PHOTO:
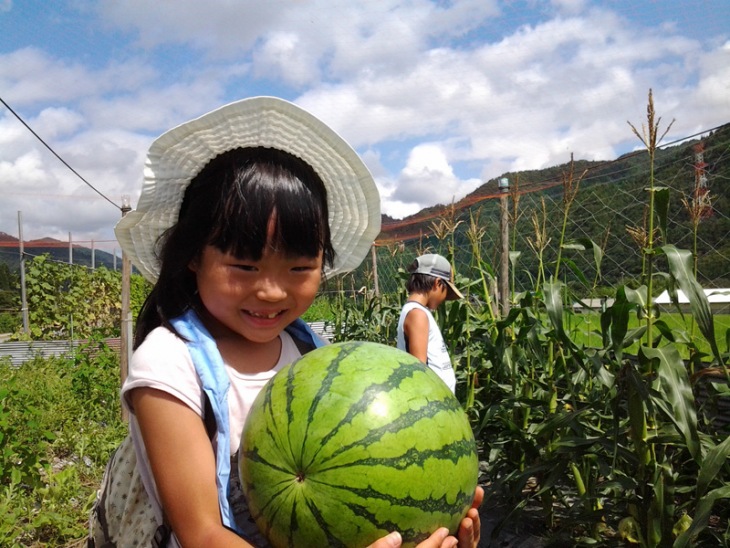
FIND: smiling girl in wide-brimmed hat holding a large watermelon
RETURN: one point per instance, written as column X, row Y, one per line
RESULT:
column 251, row 205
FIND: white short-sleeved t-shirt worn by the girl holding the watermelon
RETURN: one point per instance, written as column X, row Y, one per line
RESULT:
column 163, row 362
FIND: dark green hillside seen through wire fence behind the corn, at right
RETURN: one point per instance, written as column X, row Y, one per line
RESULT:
column 601, row 212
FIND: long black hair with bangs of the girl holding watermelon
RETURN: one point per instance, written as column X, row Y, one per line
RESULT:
column 228, row 205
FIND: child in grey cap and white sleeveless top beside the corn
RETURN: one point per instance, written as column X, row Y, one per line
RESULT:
column 429, row 285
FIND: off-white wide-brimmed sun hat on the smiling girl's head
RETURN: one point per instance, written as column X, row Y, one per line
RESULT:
column 177, row 156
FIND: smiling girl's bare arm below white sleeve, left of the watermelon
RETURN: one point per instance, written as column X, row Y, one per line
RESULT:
column 183, row 465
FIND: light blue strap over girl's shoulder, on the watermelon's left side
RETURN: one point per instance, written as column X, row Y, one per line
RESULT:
column 215, row 382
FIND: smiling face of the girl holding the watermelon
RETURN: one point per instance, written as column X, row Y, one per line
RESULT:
column 255, row 299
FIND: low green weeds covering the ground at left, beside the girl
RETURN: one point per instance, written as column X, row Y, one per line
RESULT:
column 59, row 421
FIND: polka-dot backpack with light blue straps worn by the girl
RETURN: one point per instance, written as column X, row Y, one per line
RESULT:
column 122, row 514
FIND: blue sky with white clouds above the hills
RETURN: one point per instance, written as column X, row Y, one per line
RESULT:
column 437, row 96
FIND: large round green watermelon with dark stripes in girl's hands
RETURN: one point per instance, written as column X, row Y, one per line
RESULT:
column 352, row 441
